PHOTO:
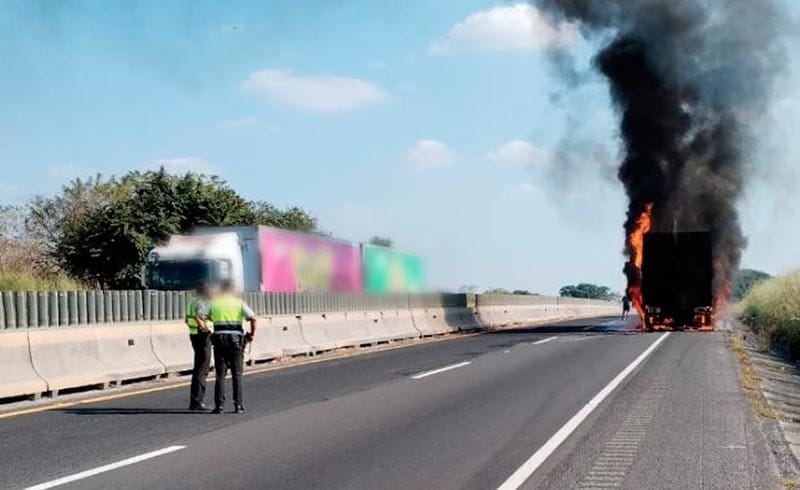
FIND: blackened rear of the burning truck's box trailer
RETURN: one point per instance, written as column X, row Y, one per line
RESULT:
column 677, row 280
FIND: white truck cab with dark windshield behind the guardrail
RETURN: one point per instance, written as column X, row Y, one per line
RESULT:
column 187, row 260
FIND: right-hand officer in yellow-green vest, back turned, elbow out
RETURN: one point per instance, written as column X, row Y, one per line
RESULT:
column 228, row 311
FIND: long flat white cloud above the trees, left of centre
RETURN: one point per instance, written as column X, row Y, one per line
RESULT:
column 314, row 93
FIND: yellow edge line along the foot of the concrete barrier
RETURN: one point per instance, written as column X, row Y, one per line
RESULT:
column 144, row 391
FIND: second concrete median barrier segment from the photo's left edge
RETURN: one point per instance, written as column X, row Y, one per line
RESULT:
column 68, row 358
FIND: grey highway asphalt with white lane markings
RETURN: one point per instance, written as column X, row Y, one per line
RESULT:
column 572, row 405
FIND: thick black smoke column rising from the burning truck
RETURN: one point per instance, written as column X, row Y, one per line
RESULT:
column 687, row 78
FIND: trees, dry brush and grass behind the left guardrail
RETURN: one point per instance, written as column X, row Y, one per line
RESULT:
column 97, row 232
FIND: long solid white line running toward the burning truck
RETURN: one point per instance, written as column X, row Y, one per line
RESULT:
column 540, row 456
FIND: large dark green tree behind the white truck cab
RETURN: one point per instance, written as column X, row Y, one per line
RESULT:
column 100, row 230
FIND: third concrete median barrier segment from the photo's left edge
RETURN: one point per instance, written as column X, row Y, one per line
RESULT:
column 127, row 353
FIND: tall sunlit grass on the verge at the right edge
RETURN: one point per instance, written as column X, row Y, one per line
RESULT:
column 772, row 310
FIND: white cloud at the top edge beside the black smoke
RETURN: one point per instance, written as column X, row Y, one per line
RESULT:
column 507, row 28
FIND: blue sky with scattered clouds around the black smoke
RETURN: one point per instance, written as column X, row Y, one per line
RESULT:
column 428, row 122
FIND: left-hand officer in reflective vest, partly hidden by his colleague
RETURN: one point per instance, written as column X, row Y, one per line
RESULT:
column 200, row 328
